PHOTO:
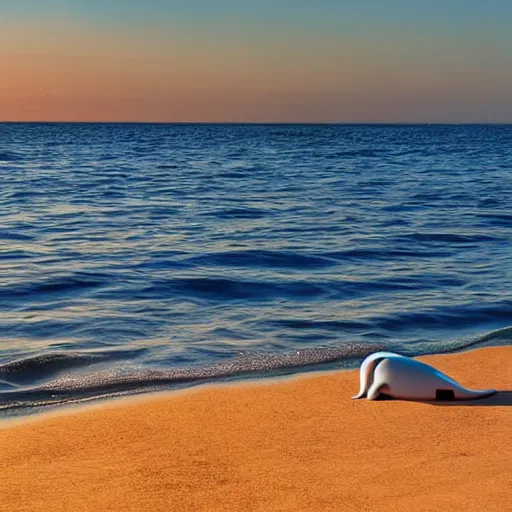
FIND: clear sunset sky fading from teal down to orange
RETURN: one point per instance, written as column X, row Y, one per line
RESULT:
column 356, row 61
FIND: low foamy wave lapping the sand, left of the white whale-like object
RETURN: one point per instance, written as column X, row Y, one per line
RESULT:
column 61, row 386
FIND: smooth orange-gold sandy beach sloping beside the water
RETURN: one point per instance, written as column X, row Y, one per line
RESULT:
column 298, row 443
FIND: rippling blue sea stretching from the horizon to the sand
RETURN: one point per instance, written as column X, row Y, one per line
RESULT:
column 137, row 257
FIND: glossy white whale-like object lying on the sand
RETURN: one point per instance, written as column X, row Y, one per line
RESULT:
column 389, row 375
